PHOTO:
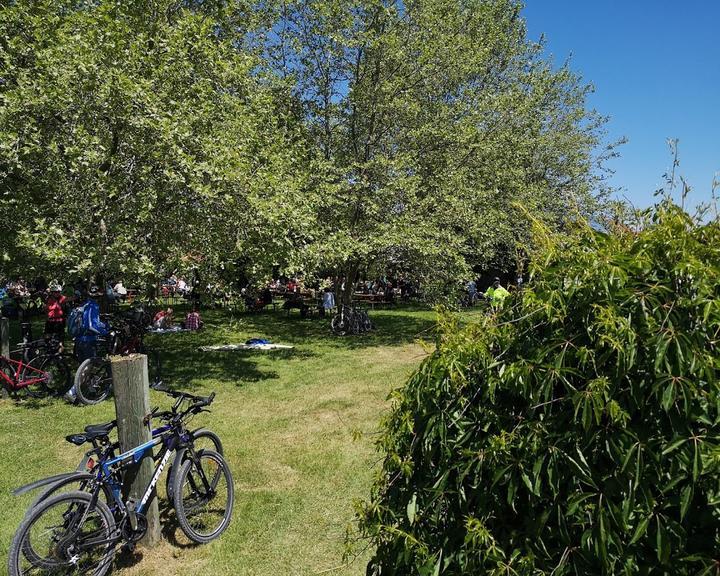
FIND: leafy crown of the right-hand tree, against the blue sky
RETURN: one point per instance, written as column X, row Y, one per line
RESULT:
column 433, row 118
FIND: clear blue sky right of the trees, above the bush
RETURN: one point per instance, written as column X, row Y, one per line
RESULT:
column 655, row 65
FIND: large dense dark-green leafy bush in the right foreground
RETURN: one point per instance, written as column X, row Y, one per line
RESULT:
column 577, row 432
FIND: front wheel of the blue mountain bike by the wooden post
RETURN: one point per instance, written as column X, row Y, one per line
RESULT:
column 204, row 496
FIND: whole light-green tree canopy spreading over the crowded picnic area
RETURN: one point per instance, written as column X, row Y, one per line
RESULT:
column 301, row 134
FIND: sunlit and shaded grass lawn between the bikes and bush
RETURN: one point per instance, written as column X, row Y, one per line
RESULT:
column 288, row 420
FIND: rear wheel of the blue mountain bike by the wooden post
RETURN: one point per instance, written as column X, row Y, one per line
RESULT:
column 67, row 535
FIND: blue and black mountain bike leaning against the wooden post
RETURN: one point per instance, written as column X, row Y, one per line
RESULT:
column 77, row 532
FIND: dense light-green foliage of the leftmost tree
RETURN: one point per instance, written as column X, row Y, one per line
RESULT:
column 135, row 137
